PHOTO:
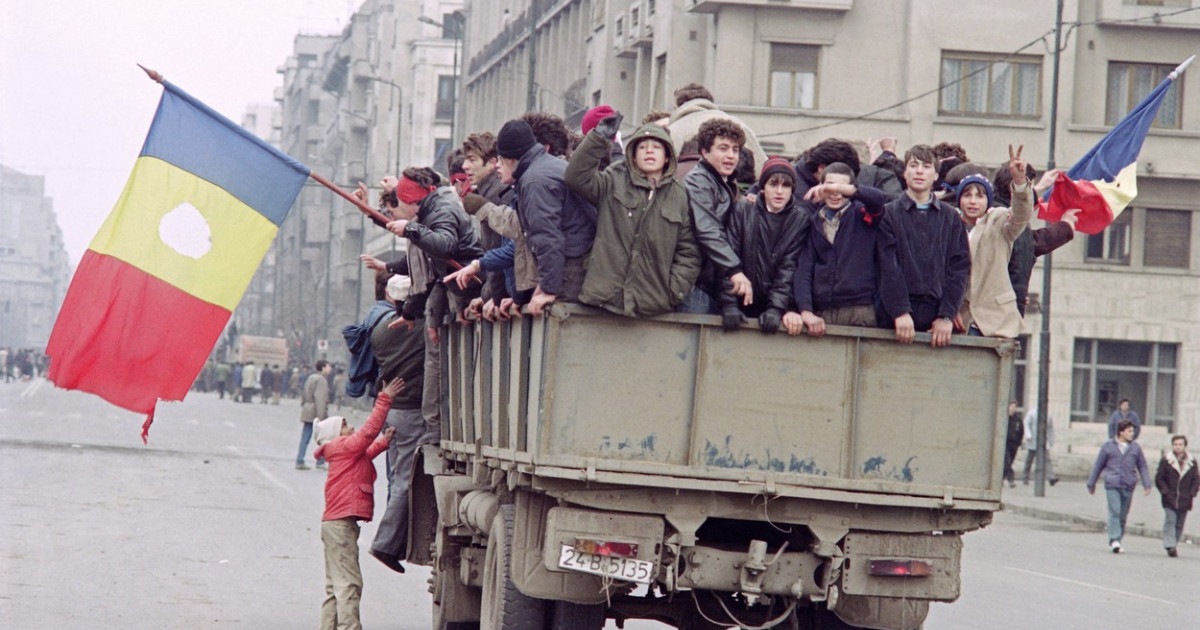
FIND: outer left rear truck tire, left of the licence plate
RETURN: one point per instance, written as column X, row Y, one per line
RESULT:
column 505, row 608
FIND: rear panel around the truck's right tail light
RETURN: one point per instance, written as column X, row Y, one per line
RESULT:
column 902, row 566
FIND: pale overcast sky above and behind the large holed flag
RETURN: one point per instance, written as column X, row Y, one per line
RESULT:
column 76, row 109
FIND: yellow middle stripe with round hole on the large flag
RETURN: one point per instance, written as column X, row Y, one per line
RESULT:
column 217, row 269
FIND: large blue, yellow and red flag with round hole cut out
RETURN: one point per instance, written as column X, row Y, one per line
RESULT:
column 158, row 285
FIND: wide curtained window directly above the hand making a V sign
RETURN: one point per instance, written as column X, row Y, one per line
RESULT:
column 991, row 86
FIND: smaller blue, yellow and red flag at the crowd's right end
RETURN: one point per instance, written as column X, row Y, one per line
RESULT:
column 1103, row 183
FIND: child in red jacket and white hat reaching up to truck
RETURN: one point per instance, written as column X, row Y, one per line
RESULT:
column 350, row 499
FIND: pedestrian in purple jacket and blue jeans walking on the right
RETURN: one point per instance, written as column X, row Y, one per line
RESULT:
column 1121, row 461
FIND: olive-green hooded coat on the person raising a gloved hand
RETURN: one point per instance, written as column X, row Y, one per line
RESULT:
column 645, row 260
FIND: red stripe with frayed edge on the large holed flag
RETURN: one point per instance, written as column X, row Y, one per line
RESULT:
column 130, row 338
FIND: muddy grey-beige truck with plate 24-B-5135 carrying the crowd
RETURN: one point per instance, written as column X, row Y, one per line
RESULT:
column 595, row 467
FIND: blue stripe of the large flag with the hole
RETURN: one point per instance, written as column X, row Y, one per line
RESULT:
column 199, row 140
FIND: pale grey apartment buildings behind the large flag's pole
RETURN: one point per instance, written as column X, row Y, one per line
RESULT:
column 355, row 106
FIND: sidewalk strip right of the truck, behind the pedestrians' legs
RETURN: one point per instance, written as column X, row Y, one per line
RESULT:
column 1070, row 502
